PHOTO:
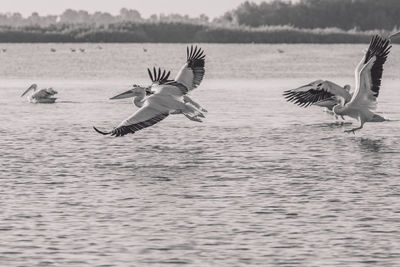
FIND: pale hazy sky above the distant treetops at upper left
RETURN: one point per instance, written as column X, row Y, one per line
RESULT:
column 211, row 8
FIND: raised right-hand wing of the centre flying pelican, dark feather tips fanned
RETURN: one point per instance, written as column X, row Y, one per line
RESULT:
column 192, row 72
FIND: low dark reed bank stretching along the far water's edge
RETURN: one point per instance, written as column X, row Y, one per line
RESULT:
column 179, row 33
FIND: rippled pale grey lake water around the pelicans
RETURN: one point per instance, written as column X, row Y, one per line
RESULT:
column 261, row 182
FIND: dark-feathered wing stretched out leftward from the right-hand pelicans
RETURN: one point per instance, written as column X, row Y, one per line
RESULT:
column 307, row 95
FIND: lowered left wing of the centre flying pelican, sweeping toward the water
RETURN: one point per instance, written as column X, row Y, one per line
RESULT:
column 143, row 118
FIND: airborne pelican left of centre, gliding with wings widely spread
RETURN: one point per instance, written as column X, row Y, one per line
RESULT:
column 166, row 96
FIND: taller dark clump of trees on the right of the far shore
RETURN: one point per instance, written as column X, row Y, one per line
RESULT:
column 344, row 14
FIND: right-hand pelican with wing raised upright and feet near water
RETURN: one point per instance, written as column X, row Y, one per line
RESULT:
column 361, row 103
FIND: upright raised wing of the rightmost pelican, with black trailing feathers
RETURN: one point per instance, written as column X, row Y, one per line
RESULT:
column 368, row 77
